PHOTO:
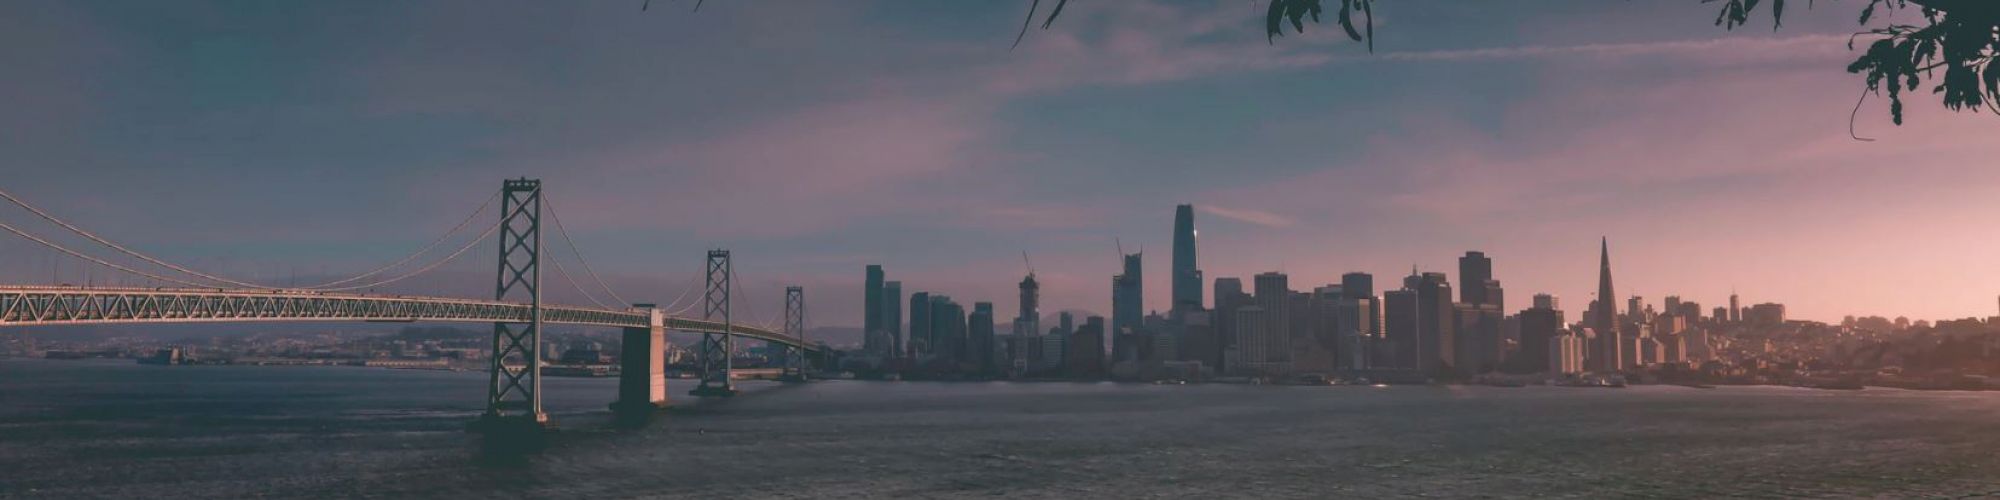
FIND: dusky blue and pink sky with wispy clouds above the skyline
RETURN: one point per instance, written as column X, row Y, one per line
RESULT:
column 323, row 139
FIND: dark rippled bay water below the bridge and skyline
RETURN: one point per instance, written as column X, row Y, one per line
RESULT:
column 119, row 429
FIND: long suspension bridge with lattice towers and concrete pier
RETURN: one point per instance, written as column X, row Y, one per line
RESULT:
column 517, row 309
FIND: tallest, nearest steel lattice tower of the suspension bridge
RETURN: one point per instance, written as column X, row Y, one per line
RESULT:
column 515, row 383
